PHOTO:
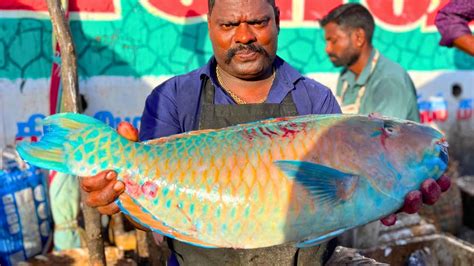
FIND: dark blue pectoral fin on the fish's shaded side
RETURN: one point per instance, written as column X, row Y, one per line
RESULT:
column 325, row 184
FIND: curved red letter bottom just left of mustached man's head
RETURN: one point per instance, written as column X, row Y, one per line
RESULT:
column 177, row 8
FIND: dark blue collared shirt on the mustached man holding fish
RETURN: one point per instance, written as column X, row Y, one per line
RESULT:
column 173, row 106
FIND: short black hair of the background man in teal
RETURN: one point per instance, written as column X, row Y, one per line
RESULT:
column 351, row 16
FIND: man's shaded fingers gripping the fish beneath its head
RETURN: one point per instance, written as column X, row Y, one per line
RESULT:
column 430, row 191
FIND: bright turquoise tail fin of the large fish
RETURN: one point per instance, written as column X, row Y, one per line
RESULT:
column 61, row 135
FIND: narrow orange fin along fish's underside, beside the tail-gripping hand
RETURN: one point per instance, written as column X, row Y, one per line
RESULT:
column 140, row 215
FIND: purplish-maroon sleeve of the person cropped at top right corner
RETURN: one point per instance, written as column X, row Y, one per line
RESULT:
column 453, row 20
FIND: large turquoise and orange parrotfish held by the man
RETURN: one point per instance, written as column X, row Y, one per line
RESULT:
column 299, row 180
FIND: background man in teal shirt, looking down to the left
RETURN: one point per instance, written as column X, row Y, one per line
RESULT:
column 369, row 81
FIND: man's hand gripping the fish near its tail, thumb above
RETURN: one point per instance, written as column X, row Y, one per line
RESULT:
column 103, row 189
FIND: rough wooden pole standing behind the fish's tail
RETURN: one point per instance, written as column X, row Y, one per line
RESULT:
column 70, row 85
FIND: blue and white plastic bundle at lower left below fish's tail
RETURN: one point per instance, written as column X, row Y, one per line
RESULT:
column 25, row 217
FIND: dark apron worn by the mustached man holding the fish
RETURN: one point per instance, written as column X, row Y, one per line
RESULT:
column 219, row 116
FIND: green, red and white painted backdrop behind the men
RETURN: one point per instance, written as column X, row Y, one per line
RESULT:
column 126, row 47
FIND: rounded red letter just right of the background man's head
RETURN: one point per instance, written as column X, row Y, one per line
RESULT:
column 388, row 12
